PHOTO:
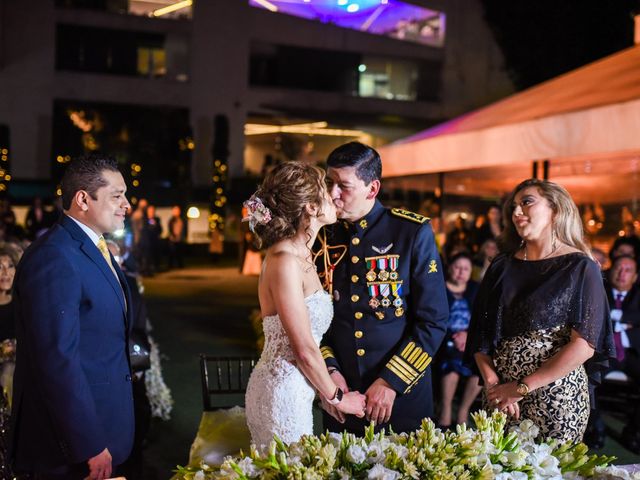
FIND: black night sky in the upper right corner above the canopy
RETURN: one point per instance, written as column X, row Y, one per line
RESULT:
column 541, row 39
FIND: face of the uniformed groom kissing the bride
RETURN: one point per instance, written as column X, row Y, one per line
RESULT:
column 352, row 198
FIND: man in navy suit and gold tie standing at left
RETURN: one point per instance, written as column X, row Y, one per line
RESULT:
column 72, row 404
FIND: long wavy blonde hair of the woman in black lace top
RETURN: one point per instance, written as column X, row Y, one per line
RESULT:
column 567, row 223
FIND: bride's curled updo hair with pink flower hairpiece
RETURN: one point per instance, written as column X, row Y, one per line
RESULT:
column 284, row 192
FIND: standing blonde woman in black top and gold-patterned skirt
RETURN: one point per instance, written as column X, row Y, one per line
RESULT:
column 541, row 313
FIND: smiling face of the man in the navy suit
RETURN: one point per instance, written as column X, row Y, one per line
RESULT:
column 106, row 213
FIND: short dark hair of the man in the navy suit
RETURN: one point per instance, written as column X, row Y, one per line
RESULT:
column 85, row 173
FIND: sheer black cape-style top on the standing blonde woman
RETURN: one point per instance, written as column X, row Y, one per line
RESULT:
column 518, row 296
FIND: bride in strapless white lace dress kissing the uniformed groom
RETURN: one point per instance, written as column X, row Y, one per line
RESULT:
column 286, row 212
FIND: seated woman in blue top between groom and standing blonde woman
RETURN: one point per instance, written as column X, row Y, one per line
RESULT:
column 461, row 292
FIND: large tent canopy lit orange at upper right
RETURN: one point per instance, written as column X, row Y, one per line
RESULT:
column 586, row 122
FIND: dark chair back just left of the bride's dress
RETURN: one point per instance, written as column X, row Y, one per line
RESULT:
column 224, row 380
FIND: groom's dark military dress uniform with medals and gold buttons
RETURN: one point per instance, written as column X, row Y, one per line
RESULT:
column 390, row 309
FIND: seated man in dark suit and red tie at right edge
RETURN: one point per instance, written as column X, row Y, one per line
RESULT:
column 624, row 300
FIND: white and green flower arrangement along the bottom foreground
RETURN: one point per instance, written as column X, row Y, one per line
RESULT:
column 484, row 453
